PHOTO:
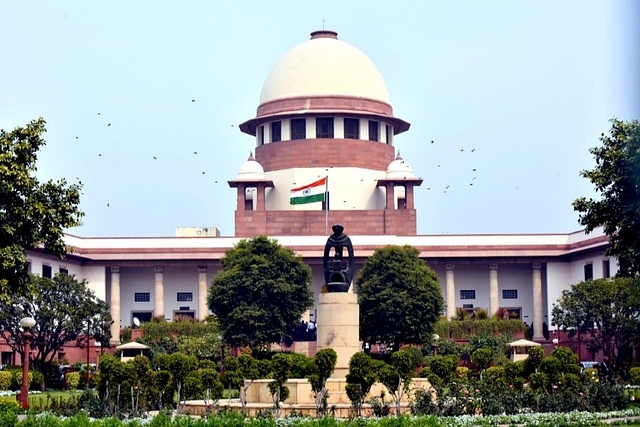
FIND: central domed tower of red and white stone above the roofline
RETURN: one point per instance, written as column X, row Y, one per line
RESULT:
column 325, row 112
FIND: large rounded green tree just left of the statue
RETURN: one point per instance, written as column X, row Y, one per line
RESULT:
column 261, row 291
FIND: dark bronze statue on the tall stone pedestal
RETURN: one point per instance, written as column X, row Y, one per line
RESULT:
column 338, row 271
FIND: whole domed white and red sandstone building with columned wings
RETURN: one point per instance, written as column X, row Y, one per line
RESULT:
column 324, row 112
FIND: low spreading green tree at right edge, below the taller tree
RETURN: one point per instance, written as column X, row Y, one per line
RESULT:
column 608, row 309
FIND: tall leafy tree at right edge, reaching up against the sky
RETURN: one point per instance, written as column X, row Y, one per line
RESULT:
column 616, row 178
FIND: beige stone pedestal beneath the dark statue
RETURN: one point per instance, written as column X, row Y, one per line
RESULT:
column 338, row 327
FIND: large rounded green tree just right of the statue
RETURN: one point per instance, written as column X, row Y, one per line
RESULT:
column 399, row 295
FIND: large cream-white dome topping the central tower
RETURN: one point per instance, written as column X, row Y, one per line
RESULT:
column 324, row 66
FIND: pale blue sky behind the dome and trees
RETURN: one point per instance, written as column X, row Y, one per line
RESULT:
column 528, row 85
